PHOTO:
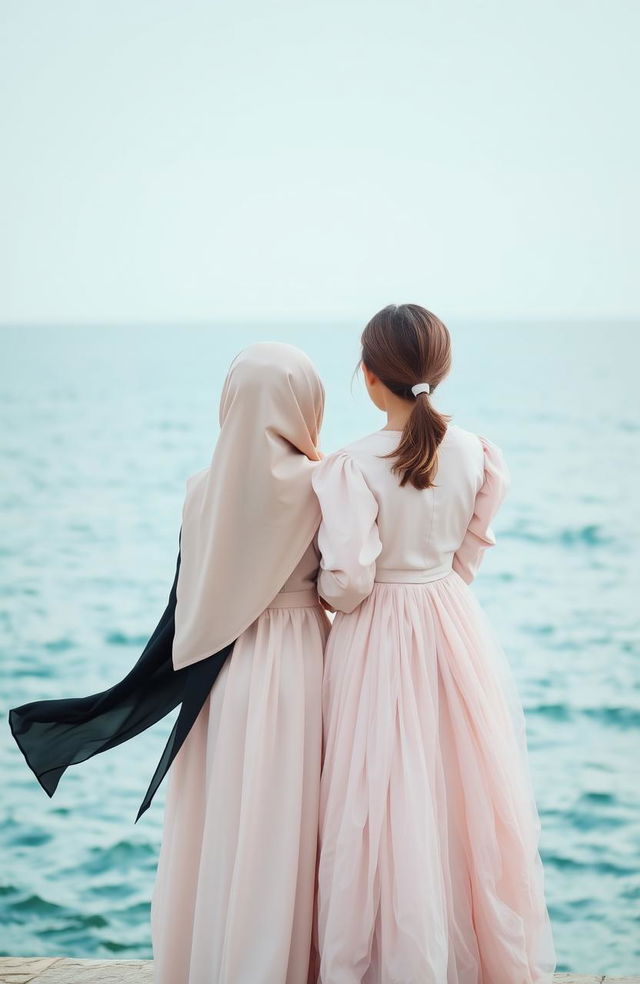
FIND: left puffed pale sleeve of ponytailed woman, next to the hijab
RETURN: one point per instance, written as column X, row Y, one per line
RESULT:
column 348, row 536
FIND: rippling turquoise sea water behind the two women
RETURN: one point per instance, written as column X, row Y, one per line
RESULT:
column 99, row 429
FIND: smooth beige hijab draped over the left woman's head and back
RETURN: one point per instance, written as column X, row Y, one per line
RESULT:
column 249, row 517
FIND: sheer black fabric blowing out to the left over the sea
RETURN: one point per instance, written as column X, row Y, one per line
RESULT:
column 54, row 734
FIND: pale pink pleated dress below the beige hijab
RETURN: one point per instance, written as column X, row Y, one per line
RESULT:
column 233, row 900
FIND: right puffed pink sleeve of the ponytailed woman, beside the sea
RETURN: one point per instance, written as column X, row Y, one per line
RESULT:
column 479, row 534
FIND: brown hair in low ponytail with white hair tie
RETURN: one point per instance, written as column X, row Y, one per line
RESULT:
column 403, row 345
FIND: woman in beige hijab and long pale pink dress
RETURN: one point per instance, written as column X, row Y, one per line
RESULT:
column 233, row 898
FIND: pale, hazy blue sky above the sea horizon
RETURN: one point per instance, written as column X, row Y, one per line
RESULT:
column 188, row 161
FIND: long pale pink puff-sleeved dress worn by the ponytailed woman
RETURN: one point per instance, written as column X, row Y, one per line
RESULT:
column 429, row 870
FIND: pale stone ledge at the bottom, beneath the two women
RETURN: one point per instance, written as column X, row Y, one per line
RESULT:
column 66, row 970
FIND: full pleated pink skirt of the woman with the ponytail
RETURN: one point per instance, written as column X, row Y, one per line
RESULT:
column 429, row 871
